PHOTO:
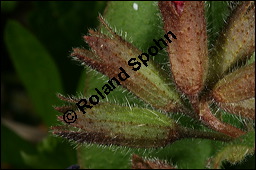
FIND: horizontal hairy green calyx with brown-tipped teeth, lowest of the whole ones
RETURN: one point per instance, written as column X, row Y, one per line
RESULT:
column 110, row 124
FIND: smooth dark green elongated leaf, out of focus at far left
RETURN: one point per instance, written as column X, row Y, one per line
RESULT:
column 35, row 68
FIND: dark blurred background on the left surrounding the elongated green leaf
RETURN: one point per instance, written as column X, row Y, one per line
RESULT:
column 58, row 26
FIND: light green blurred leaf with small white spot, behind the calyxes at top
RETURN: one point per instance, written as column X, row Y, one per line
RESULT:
column 140, row 20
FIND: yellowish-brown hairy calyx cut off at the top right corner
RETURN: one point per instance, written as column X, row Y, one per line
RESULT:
column 236, row 42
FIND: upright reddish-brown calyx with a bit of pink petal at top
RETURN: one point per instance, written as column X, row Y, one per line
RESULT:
column 188, row 54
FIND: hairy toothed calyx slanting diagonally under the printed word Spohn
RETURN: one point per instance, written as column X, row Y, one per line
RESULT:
column 142, row 77
